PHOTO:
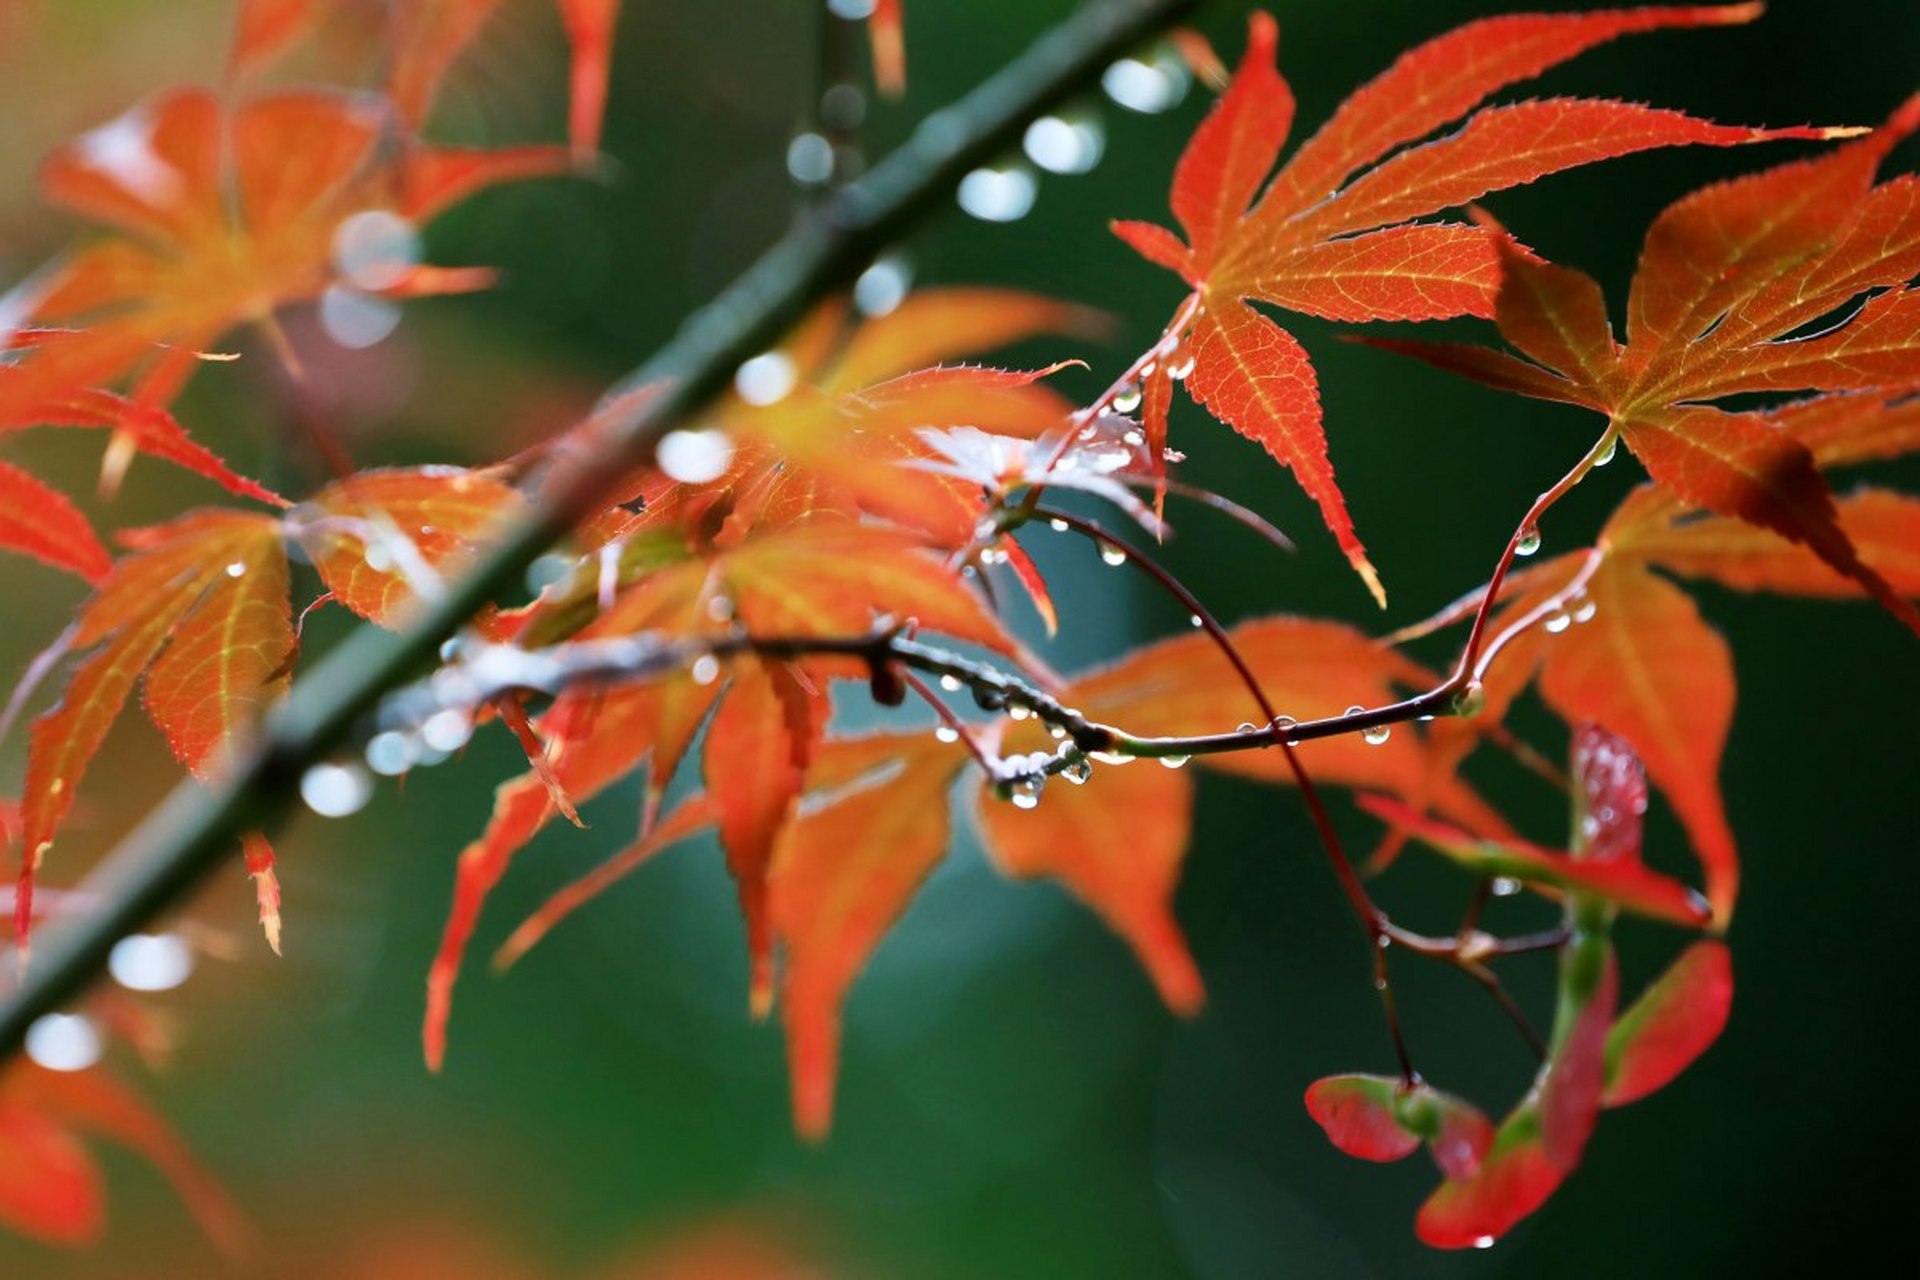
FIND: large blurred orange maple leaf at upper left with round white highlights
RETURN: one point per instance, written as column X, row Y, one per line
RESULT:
column 218, row 229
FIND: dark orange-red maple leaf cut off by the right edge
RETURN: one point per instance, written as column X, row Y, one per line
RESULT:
column 1727, row 281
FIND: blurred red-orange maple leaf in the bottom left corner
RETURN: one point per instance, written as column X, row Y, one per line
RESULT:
column 51, row 1187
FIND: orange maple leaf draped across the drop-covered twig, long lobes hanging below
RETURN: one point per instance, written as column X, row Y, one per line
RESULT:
column 825, row 579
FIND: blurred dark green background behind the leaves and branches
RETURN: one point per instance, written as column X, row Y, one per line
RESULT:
column 1015, row 1102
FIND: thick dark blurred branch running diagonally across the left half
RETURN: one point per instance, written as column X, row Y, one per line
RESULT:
column 193, row 830
